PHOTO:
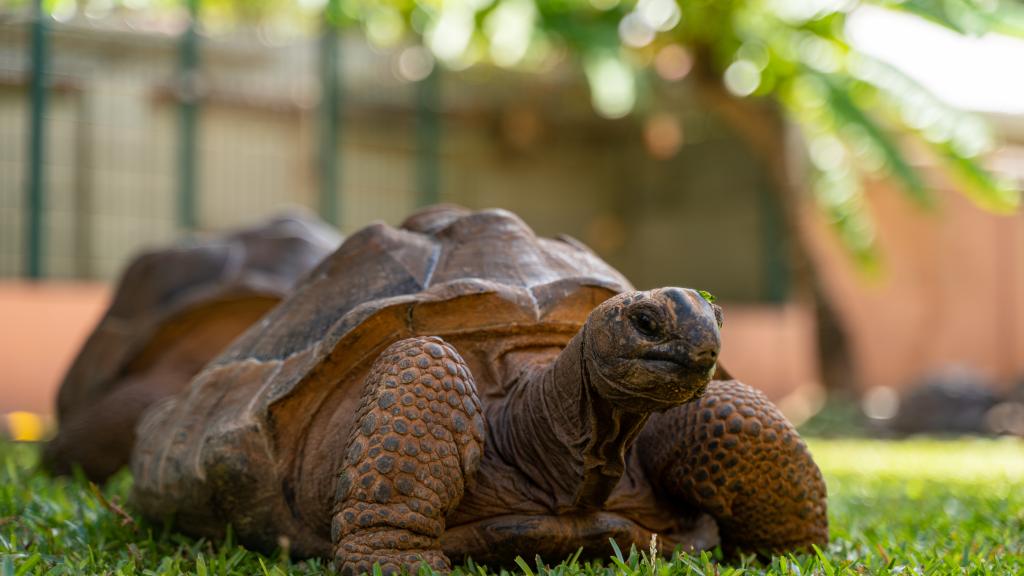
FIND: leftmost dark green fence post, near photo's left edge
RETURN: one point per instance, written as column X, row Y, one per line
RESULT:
column 36, row 187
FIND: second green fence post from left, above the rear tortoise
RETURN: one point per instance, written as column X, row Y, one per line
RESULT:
column 189, row 94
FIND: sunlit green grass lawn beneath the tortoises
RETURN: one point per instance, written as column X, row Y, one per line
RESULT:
column 907, row 508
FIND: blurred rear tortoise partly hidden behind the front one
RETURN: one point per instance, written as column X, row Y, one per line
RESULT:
column 175, row 310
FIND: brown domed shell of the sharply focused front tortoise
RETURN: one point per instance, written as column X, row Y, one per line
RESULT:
column 281, row 396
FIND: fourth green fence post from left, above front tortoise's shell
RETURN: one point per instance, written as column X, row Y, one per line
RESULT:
column 429, row 127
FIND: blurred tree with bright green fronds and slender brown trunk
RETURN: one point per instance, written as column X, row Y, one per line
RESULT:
column 755, row 64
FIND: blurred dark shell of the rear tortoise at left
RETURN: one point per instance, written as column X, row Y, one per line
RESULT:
column 164, row 294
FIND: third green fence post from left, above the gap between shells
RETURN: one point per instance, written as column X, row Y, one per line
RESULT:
column 330, row 118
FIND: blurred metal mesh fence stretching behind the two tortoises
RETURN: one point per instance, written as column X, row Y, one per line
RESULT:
column 117, row 154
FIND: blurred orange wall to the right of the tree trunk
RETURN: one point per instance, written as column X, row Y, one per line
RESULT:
column 953, row 291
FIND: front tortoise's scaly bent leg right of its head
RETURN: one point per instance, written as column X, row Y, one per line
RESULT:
column 734, row 456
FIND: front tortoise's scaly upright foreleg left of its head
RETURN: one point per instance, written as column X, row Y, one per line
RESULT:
column 417, row 442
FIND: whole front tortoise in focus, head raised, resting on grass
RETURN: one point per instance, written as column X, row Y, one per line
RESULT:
column 562, row 408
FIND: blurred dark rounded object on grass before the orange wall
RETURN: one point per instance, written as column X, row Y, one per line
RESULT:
column 953, row 401
